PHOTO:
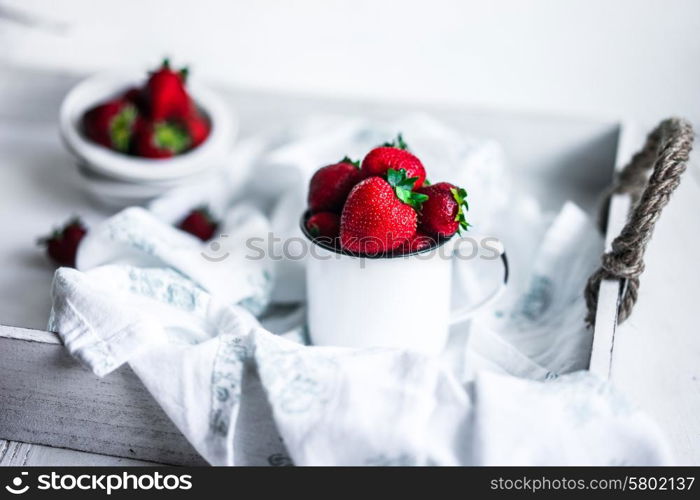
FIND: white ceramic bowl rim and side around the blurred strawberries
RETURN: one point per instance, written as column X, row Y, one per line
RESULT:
column 101, row 87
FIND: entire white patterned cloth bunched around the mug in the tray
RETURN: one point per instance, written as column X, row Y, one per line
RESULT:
column 250, row 392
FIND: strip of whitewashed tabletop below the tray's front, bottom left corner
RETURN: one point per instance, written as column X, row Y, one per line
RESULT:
column 16, row 454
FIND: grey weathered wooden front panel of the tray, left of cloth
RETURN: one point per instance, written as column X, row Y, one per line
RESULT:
column 46, row 397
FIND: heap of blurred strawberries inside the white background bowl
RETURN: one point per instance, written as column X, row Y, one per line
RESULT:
column 158, row 120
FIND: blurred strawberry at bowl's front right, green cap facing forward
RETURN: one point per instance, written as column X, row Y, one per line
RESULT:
column 159, row 139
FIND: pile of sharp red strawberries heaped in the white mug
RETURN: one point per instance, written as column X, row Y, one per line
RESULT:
column 385, row 206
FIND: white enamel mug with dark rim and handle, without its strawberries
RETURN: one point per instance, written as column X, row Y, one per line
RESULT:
column 401, row 301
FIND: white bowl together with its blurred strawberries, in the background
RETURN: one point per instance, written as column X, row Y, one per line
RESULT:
column 145, row 133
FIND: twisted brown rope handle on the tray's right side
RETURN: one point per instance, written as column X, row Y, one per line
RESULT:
column 665, row 153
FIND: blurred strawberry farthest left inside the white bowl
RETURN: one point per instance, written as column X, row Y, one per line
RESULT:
column 111, row 124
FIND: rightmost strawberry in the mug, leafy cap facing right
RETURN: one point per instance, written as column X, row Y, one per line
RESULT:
column 443, row 213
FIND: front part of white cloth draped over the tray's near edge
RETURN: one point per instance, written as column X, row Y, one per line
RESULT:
column 245, row 396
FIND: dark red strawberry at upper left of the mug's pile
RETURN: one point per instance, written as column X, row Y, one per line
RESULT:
column 329, row 187
